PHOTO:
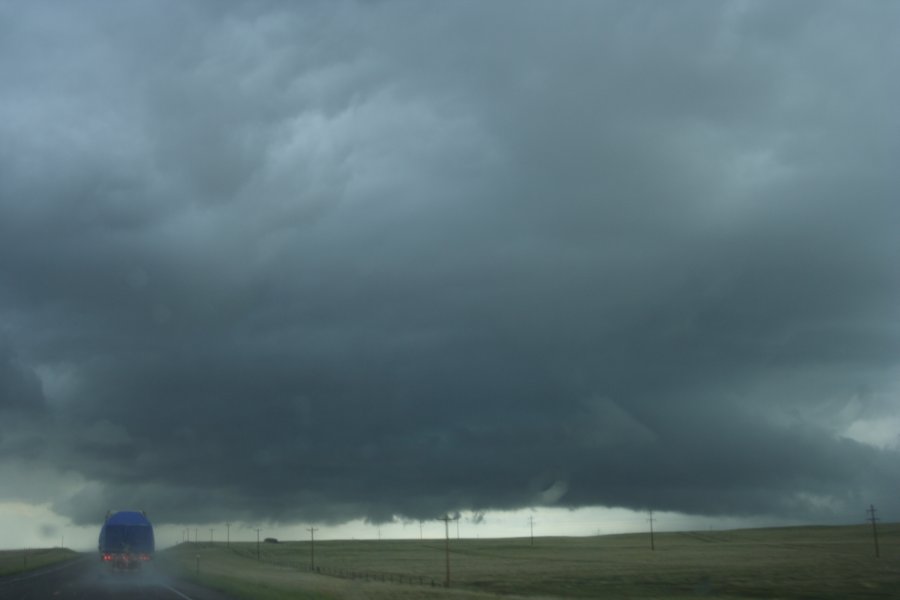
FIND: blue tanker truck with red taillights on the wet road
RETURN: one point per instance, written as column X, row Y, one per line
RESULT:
column 126, row 540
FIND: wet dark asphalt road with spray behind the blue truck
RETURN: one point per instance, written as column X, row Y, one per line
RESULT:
column 88, row 578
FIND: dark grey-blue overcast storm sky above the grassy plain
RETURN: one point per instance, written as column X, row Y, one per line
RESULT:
column 326, row 261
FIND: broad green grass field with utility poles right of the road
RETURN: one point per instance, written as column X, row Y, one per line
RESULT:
column 808, row 562
